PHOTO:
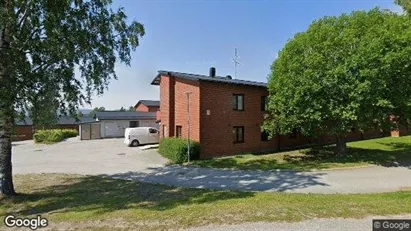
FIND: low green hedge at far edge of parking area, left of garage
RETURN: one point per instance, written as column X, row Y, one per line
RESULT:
column 53, row 135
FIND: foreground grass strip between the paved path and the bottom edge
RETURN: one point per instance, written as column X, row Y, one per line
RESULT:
column 92, row 202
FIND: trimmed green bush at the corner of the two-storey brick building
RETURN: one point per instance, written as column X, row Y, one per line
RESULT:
column 175, row 149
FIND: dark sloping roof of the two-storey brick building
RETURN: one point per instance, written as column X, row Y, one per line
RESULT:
column 196, row 77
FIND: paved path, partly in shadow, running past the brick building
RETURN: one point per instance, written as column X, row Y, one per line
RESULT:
column 361, row 180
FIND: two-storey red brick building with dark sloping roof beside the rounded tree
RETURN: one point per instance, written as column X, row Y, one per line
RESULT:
column 226, row 114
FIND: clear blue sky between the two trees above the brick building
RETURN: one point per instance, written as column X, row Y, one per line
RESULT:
column 191, row 36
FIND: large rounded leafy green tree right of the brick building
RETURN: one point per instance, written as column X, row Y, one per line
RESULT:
column 343, row 72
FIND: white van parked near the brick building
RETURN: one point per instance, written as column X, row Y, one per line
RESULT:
column 141, row 135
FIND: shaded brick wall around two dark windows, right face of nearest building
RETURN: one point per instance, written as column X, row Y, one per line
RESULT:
column 217, row 119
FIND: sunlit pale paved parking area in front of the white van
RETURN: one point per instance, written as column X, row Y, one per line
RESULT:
column 104, row 156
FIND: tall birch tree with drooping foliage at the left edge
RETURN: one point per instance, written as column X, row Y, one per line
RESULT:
column 43, row 43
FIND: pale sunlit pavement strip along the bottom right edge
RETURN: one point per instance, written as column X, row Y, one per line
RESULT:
column 337, row 224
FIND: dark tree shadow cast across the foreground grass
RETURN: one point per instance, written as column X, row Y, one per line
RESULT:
column 103, row 195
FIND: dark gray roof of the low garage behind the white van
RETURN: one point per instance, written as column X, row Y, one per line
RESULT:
column 124, row 115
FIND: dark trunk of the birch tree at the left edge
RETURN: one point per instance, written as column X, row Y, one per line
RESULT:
column 6, row 114
